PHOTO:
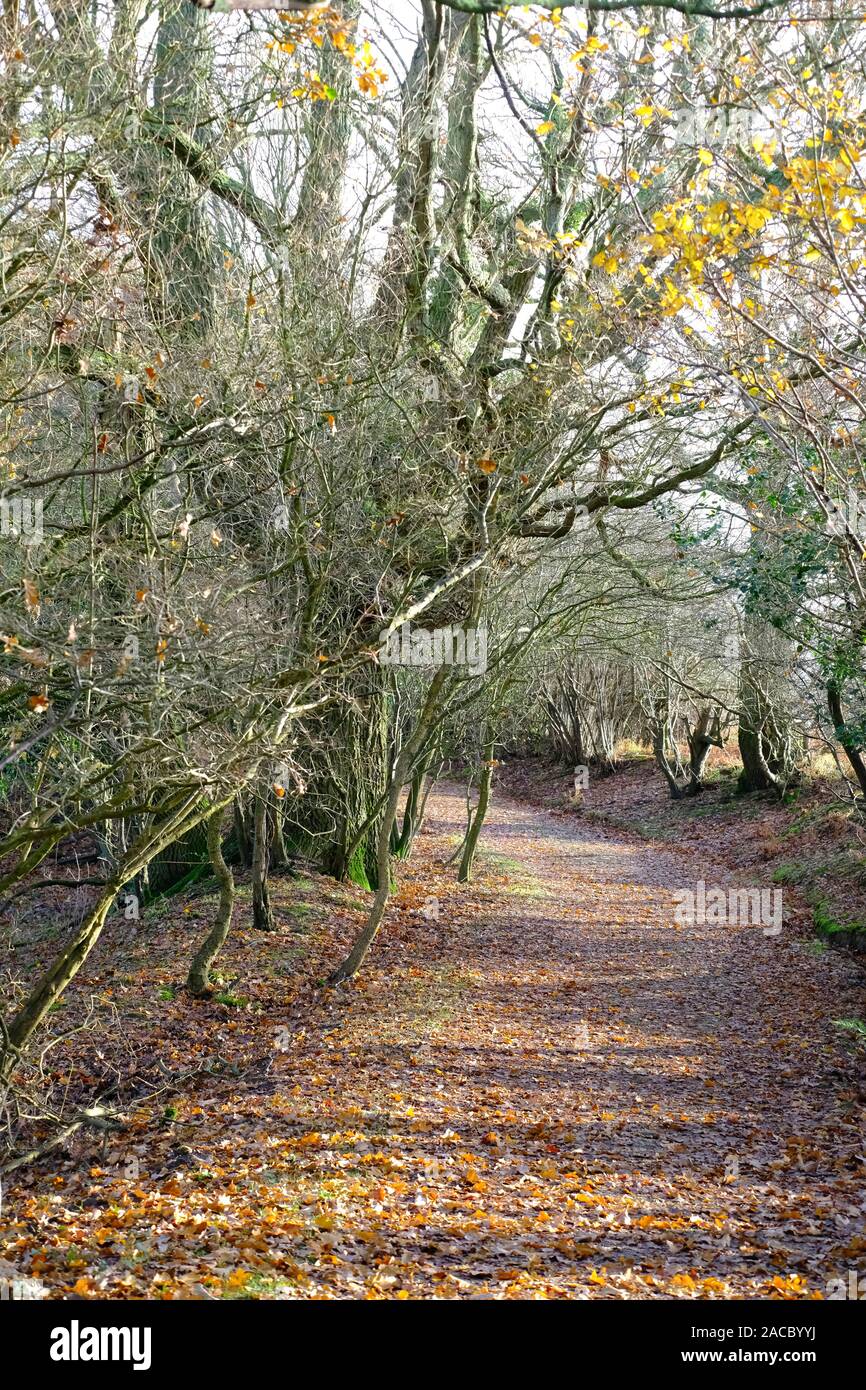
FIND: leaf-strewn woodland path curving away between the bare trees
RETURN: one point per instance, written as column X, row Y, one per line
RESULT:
column 578, row 1097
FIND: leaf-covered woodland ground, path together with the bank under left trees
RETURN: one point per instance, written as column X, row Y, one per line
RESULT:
column 548, row 1090
